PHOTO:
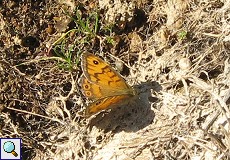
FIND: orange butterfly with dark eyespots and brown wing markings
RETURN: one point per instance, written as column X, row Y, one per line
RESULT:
column 102, row 84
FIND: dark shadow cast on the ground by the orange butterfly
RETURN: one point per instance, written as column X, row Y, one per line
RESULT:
column 131, row 117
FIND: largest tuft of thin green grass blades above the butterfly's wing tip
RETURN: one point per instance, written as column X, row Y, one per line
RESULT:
column 86, row 29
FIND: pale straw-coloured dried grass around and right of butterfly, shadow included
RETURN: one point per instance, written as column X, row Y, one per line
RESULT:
column 182, row 108
